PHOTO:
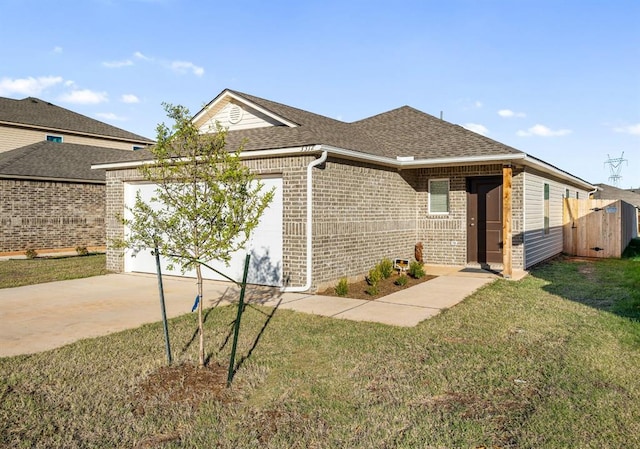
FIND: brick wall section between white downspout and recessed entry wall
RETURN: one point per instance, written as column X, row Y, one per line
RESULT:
column 362, row 214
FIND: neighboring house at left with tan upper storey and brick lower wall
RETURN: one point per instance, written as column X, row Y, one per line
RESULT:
column 50, row 199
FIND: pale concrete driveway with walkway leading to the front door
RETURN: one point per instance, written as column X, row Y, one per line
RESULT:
column 45, row 316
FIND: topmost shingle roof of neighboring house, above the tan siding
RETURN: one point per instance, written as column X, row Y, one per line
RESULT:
column 35, row 112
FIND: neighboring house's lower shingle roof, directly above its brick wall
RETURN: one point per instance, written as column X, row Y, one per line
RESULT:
column 53, row 160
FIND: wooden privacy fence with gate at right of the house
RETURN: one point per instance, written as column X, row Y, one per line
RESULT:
column 598, row 228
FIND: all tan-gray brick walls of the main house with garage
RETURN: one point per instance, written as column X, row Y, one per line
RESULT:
column 361, row 214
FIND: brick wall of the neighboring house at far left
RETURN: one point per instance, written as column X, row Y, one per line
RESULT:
column 50, row 215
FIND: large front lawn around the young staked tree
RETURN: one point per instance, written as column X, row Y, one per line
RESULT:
column 546, row 362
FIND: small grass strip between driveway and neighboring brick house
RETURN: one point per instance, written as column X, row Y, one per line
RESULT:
column 17, row 272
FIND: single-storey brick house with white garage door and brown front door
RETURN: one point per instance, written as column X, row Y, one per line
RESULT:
column 350, row 194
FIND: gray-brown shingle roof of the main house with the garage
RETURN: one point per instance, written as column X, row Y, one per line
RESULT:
column 400, row 132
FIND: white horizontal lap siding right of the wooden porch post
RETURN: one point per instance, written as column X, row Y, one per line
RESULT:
column 539, row 246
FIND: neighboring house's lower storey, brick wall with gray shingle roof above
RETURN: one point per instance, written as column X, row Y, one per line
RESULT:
column 51, row 199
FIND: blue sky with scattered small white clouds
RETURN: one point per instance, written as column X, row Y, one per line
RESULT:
column 557, row 79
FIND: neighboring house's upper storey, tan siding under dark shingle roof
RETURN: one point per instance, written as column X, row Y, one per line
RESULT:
column 31, row 120
